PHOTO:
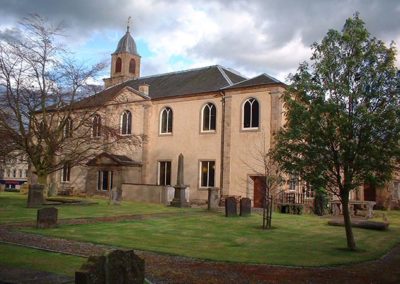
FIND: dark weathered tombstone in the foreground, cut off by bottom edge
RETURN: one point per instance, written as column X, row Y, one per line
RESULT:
column 117, row 266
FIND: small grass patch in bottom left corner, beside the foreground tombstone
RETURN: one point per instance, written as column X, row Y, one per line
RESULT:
column 16, row 256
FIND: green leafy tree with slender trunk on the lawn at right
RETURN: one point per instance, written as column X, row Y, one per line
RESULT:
column 342, row 111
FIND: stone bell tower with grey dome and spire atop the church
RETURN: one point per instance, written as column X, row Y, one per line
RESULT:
column 125, row 61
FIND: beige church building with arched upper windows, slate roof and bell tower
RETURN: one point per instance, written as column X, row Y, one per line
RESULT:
column 218, row 119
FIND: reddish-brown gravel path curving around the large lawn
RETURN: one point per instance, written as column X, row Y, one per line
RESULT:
column 174, row 269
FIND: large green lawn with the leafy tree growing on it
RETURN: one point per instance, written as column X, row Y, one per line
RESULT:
column 295, row 240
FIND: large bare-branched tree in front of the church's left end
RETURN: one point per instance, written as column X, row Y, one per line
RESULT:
column 45, row 107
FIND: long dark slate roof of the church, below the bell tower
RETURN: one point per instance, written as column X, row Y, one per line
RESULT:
column 189, row 82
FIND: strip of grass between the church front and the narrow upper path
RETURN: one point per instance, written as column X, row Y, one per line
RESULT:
column 13, row 209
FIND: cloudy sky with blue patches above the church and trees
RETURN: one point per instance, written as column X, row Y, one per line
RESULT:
column 250, row 36
